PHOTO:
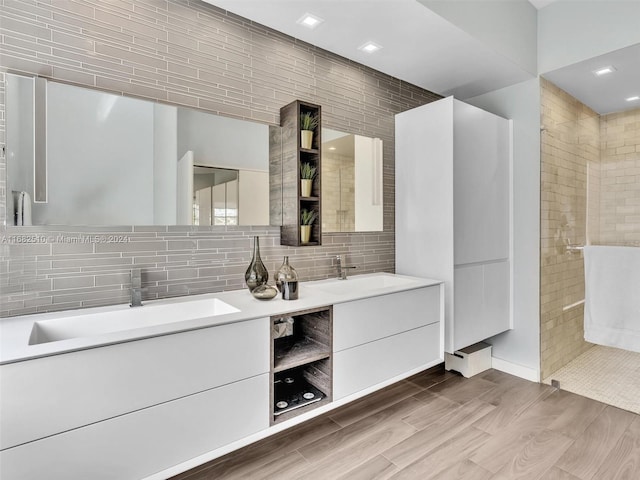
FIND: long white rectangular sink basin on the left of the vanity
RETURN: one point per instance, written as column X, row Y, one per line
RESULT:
column 126, row 318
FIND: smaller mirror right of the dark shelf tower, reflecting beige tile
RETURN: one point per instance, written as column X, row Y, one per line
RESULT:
column 351, row 182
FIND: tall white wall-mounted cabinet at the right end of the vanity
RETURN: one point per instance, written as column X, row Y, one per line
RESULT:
column 453, row 213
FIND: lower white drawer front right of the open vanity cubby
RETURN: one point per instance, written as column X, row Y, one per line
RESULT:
column 364, row 366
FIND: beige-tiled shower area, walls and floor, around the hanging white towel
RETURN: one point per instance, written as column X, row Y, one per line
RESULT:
column 590, row 195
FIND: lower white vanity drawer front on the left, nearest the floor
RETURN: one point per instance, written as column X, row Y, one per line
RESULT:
column 141, row 443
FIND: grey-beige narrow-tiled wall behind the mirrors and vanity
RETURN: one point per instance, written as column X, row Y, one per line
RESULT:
column 187, row 53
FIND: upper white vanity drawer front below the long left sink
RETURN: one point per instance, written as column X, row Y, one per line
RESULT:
column 53, row 394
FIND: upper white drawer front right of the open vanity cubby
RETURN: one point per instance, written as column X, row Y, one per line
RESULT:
column 362, row 321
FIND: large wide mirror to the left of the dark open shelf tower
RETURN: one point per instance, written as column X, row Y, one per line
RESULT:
column 77, row 156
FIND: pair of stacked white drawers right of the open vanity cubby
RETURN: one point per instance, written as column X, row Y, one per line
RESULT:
column 379, row 338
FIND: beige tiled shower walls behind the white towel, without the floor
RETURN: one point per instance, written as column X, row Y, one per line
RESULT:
column 590, row 194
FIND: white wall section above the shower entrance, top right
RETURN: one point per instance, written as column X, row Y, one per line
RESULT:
column 569, row 32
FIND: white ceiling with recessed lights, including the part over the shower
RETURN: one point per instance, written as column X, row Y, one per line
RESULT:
column 424, row 49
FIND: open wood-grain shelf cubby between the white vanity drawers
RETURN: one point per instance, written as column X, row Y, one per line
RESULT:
column 301, row 362
